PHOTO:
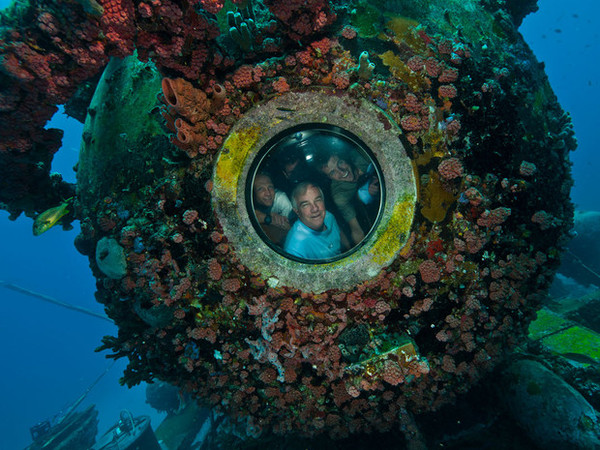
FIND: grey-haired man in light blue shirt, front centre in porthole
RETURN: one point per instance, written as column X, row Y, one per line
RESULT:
column 315, row 235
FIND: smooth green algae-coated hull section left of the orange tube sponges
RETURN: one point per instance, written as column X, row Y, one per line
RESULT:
column 123, row 144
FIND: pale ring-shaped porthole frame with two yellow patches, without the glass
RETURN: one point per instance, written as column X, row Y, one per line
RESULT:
column 243, row 145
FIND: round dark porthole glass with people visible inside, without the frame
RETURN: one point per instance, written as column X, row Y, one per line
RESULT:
column 315, row 193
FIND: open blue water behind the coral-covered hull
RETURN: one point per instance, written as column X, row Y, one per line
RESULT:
column 48, row 357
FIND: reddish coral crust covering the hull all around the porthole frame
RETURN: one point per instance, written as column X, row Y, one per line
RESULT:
column 278, row 358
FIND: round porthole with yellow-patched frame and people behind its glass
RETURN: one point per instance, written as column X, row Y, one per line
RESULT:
column 315, row 191
